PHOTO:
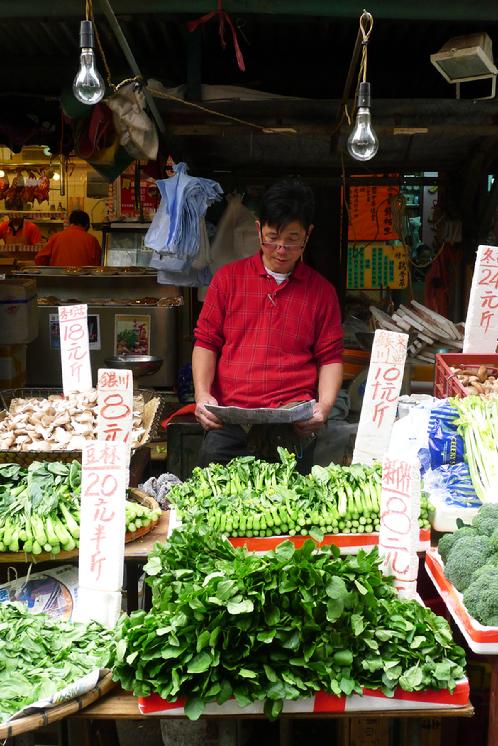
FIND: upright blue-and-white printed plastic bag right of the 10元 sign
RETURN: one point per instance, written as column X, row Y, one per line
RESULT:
column 446, row 446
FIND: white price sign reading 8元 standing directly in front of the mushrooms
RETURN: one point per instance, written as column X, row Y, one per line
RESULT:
column 115, row 405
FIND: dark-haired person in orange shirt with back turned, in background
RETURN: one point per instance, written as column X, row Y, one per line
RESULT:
column 73, row 247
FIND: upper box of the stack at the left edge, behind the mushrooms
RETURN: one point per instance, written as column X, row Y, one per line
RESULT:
column 18, row 311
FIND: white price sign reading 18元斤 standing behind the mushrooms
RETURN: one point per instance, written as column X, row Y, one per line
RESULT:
column 75, row 350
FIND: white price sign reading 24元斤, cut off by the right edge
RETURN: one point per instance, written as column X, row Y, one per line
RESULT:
column 481, row 326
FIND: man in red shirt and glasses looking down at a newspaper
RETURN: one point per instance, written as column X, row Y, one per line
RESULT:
column 269, row 334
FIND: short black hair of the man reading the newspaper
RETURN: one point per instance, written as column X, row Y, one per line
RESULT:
column 286, row 201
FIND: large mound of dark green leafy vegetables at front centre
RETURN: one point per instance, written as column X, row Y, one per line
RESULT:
column 273, row 627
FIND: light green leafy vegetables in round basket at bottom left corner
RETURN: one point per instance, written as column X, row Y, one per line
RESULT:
column 40, row 655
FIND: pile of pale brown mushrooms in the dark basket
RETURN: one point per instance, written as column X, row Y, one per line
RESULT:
column 57, row 423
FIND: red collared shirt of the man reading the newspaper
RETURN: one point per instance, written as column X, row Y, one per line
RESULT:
column 270, row 339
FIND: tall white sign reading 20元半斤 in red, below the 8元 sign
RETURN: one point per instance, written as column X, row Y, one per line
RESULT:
column 102, row 530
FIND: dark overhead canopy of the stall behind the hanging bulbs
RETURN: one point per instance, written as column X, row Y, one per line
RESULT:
column 297, row 49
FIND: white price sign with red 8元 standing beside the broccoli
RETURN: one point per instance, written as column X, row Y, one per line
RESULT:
column 399, row 529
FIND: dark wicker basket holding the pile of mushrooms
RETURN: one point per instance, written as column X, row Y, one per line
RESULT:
column 25, row 458
